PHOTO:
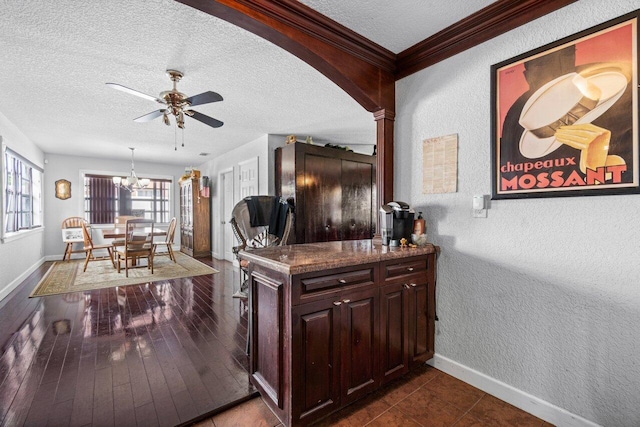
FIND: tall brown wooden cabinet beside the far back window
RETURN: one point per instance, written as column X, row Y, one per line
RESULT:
column 195, row 220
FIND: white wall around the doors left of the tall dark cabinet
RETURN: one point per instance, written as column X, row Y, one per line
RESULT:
column 263, row 148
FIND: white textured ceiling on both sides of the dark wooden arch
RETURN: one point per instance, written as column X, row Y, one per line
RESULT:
column 57, row 57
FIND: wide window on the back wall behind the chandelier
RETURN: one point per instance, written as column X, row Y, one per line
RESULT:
column 103, row 201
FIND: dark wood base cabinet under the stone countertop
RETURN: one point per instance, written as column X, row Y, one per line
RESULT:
column 325, row 338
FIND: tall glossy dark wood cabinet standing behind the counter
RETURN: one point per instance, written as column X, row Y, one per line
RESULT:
column 333, row 192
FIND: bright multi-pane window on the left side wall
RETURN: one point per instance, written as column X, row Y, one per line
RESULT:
column 22, row 200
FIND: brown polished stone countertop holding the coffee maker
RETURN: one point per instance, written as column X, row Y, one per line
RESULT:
column 308, row 257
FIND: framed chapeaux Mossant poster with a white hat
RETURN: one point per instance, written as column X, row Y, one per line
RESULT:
column 565, row 116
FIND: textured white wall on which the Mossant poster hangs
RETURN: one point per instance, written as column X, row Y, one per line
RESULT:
column 544, row 294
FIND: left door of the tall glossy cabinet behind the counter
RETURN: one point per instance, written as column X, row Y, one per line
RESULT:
column 322, row 198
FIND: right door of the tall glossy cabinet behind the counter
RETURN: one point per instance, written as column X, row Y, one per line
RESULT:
column 357, row 200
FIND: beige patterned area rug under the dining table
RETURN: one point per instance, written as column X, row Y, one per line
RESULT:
column 67, row 276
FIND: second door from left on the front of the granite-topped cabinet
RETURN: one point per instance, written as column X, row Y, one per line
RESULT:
column 359, row 337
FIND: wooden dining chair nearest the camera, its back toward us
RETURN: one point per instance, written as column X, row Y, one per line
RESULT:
column 138, row 245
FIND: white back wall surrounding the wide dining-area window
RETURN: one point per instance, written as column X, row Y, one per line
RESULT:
column 69, row 168
